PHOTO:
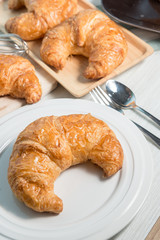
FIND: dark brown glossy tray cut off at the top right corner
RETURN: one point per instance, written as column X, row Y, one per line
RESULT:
column 143, row 14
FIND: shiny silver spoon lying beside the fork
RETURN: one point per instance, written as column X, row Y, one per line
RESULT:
column 123, row 97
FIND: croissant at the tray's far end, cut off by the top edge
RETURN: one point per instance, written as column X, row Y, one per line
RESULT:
column 41, row 16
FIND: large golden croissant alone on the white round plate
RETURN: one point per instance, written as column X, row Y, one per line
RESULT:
column 52, row 144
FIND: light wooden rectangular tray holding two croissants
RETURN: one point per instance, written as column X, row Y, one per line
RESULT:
column 71, row 77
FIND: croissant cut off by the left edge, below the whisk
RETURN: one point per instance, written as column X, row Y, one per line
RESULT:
column 18, row 79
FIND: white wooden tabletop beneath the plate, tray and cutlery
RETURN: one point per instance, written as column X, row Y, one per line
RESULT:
column 144, row 80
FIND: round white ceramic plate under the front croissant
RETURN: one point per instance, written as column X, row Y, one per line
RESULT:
column 94, row 208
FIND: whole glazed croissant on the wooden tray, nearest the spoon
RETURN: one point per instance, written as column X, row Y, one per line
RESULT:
column 90, row 33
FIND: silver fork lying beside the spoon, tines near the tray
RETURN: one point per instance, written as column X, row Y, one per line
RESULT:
column 100, row 96
